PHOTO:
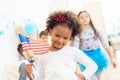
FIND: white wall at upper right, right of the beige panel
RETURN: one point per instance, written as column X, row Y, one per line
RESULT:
column 111, row 15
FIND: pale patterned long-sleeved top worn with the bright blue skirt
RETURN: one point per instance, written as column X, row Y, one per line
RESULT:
column 88, row 40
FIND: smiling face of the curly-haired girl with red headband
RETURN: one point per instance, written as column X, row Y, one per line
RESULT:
column 60, row 36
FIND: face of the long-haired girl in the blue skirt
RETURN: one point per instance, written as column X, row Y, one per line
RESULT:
column 84, row 18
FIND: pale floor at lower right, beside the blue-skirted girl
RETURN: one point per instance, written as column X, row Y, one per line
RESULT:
column 113, row 73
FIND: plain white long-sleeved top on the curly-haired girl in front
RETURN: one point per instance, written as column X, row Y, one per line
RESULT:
column 62, row 64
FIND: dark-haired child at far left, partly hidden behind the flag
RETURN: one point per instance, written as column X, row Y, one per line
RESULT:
column 28, row 60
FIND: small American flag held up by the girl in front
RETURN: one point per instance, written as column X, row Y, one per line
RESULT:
column 38, row 47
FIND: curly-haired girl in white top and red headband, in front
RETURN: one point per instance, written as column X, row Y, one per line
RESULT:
column 60, row 62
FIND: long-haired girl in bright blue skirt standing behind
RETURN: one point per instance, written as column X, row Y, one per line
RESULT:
column 88, row 42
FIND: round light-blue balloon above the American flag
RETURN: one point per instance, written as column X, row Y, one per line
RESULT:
column 30, row 28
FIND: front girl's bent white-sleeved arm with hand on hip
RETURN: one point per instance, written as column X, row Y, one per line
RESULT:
column 91, row 66
